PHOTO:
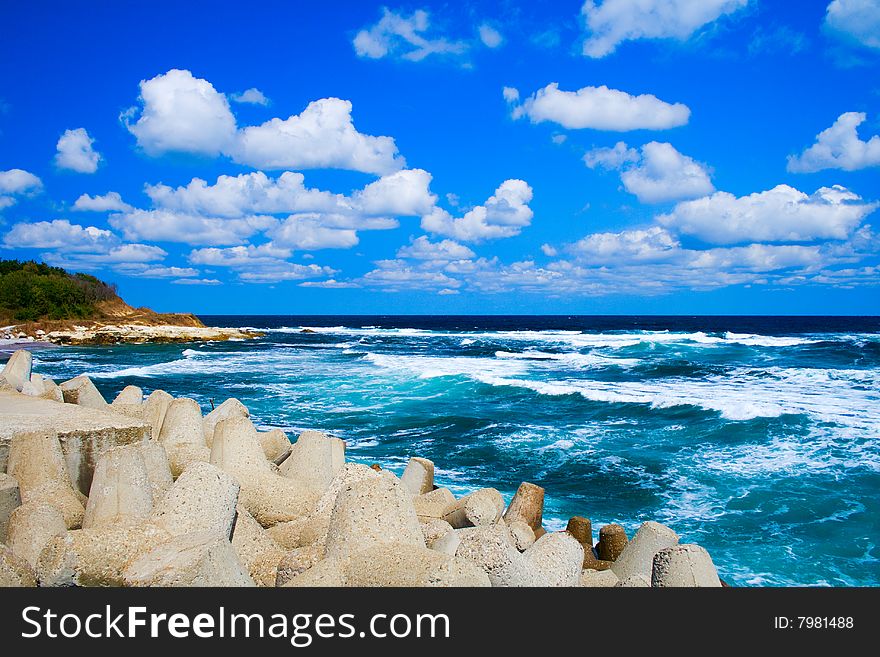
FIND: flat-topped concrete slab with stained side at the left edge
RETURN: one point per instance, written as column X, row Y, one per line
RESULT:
column 84, row 433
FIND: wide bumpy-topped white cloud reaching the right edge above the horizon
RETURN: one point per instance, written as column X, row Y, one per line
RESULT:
column 782, row 214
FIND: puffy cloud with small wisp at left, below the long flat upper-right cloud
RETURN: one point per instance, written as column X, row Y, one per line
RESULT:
column 657, row 174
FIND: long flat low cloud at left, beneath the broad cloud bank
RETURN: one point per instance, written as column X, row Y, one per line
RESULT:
column 170, row 226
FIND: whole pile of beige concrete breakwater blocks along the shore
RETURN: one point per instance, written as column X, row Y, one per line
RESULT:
column 148, row 491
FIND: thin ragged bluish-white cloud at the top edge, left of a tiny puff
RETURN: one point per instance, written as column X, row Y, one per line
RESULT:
column 406, row 36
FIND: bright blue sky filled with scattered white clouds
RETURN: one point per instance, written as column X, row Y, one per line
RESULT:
column 686, row 156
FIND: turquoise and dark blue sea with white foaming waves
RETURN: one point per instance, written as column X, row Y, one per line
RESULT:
column 756, row 437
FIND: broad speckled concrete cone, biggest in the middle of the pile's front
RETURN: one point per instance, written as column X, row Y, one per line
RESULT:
column 371, row 512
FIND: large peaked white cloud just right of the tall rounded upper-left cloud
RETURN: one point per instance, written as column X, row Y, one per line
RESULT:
column 323, row 135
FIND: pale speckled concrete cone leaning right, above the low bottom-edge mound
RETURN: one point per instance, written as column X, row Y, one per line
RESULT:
column 202, row 499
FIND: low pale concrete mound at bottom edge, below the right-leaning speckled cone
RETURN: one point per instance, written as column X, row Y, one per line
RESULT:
column 199, row 559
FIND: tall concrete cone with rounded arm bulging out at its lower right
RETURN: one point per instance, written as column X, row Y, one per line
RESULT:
column 268, row 496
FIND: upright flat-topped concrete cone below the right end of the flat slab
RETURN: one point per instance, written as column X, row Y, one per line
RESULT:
column 121, row 493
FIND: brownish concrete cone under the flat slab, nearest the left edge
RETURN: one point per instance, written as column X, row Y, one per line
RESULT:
column 37, row 464
